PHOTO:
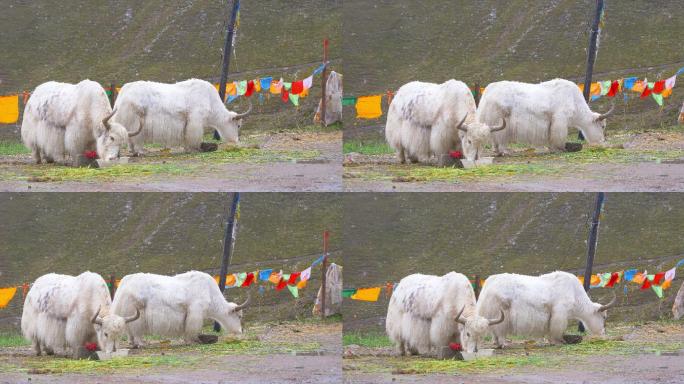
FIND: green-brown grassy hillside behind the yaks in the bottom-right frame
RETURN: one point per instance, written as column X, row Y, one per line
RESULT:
column 389, row 236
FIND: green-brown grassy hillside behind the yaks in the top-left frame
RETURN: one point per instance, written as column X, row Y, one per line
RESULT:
column 156, row 40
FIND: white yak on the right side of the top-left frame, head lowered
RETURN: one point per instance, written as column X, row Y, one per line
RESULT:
column 175, row 114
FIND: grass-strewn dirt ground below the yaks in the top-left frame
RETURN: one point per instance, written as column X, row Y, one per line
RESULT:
column 279, row 167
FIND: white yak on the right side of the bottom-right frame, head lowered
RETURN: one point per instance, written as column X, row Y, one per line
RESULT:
column 537, row 306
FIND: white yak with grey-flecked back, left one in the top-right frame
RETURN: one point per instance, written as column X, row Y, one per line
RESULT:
column 426, row 119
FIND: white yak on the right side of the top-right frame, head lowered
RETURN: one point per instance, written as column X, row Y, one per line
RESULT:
column 539, row 114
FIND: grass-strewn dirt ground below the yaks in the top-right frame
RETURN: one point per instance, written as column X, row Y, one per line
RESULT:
column 648, row 161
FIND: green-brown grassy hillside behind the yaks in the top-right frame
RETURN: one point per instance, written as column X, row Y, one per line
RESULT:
column 389, row 43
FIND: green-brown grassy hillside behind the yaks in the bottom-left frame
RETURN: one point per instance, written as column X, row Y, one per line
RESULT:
column 164, row 233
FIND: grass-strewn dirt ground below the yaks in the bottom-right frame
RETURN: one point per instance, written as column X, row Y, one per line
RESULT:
column 650, row 353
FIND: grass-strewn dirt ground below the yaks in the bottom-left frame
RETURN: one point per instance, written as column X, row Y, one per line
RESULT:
column 312, row 355
